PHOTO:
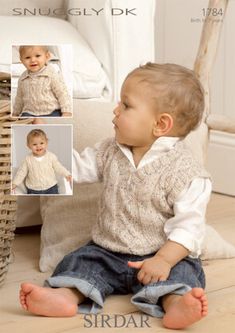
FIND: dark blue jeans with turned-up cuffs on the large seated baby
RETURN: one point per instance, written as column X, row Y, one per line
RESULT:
column 97, row 273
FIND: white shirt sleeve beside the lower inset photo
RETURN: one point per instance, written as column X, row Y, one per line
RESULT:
column 85, row 166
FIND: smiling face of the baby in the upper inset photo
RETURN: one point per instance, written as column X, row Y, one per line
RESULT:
column 34, row 58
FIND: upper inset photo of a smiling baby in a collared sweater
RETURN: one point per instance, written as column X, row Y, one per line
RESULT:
column 42, row 80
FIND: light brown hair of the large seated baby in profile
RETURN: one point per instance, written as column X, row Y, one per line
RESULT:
column 177, row 91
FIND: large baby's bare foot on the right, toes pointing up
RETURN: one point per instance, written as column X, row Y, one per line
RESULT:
column 186, row 310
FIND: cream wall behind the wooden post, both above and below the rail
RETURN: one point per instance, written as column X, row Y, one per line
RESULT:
column 178, row 30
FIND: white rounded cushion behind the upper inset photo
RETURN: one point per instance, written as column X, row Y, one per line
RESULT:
column 90, row 80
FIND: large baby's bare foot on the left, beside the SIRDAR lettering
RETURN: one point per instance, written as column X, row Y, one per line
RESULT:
column 59, row 302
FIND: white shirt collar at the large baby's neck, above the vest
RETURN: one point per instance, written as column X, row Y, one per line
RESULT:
column 159, row 147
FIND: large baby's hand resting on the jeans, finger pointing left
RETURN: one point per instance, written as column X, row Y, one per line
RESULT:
column 151, row 270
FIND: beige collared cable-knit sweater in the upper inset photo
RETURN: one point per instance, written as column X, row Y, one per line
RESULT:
column 41, row 93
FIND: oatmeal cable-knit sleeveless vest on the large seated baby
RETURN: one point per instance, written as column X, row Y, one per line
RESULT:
column 136, row 203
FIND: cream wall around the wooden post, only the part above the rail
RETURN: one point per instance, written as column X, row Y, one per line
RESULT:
column 178, row 30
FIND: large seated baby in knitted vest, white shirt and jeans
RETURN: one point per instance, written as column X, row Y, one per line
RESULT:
column 151, row 222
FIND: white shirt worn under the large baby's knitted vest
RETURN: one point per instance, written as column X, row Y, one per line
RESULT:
column 187, row 226
